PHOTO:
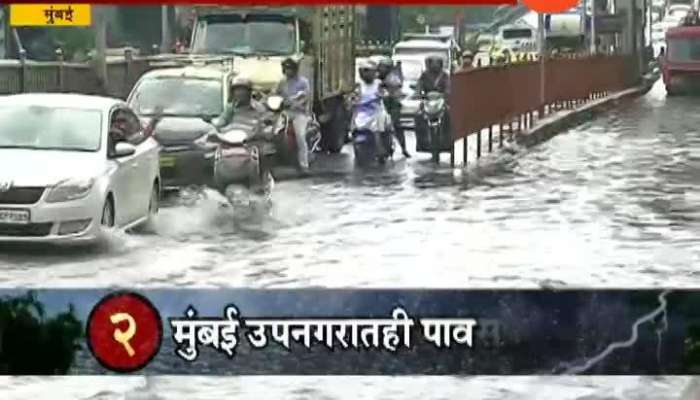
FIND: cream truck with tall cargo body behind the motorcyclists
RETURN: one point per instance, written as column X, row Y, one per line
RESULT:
column 259, row 38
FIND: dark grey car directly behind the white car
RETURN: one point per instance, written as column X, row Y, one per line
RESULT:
column 191, row 97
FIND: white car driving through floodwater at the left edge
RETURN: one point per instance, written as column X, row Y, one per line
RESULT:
column 64, row 173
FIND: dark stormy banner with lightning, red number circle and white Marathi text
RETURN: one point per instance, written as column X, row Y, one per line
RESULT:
column 350, row 332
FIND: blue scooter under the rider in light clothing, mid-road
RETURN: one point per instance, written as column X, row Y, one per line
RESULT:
column 371, row 131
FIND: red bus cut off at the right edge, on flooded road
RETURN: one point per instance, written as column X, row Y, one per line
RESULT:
column 680, row 63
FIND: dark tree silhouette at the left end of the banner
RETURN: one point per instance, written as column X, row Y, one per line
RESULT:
column 31, row 344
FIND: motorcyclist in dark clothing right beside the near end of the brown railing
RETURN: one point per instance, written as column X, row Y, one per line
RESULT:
column 433, row 79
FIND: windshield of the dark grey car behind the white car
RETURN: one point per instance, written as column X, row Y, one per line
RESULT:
column 179, row 96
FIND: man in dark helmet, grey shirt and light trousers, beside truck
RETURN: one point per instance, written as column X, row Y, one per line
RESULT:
column 296, row 91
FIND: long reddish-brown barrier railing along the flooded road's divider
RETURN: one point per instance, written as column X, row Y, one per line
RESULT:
column 507, row 98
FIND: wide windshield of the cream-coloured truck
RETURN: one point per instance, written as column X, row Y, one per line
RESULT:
column 270, row 37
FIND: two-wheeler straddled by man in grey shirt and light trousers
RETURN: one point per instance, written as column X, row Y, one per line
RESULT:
column 286, row 136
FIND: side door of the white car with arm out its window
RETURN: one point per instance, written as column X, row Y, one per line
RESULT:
column 145, row 165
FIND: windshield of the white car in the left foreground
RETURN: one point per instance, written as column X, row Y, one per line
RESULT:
column 50, row 128
